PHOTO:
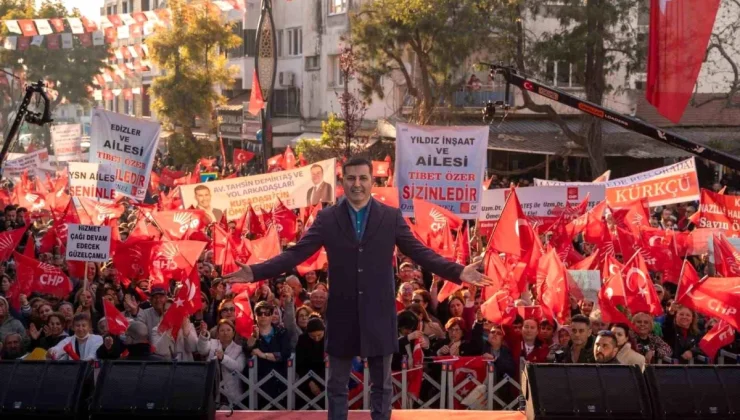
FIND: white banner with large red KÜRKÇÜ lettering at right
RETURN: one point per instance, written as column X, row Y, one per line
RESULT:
column 677, row 183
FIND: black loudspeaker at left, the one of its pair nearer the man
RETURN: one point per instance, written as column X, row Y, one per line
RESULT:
column 185, row 390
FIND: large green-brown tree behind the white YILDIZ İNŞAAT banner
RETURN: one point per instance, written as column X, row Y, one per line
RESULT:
column 426, row 42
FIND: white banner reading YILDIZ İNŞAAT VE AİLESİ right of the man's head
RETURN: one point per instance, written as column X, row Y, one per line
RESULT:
column 441, row 165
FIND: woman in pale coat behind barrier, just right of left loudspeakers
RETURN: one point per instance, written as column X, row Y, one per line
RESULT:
column 228, row 353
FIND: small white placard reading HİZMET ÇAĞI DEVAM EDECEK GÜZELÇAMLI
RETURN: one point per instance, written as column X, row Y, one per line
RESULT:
column 88, row 243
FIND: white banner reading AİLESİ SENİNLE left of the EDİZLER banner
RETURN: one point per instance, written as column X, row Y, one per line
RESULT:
column 92, row 180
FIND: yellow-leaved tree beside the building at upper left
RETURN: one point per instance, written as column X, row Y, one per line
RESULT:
column 191, row 53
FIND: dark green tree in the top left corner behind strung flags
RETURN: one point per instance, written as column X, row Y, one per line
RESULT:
column 71, row 71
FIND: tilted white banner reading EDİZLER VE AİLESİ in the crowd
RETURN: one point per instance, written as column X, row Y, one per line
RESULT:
column 127, row 144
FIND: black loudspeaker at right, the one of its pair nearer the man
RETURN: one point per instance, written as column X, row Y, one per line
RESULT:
column 585, row 391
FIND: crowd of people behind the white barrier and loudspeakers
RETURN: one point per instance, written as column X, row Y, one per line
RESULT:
column 289, row 319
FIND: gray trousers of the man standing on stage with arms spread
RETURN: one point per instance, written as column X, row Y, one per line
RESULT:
column 381, row 389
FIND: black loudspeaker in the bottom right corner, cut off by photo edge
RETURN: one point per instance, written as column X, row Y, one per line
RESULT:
column 694, row 392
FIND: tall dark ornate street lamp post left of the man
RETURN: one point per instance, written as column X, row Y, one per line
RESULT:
column 265, row 63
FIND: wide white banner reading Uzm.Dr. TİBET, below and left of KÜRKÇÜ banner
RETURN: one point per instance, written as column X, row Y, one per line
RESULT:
column 542, row 204
